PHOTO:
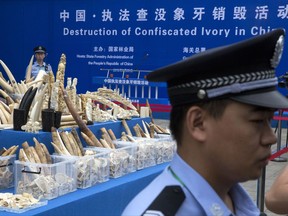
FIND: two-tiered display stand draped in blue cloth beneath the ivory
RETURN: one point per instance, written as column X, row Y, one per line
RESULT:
column 107, row 198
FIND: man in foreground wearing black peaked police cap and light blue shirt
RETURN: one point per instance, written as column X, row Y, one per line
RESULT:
column 222, row 102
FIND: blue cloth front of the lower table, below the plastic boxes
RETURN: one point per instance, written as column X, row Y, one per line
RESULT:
column 108, row 198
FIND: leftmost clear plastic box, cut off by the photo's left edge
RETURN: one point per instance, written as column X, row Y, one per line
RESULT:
column 7, row 171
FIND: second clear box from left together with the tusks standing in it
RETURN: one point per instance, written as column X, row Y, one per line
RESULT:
column 42, row 175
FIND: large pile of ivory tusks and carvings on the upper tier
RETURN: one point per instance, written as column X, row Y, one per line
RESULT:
column 50, row 93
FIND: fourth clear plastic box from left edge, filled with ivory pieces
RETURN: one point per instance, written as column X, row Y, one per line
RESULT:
column 121, row 159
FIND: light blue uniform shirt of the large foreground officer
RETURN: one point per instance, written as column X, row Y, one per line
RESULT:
column 201, row 199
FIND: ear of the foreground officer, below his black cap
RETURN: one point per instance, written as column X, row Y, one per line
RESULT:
column 195, row 123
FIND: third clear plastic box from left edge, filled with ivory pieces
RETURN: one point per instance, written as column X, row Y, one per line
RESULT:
column 91, row 169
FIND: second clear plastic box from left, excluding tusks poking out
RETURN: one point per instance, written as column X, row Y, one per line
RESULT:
column 45, row 181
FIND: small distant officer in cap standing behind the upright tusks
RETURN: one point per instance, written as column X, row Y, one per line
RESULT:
column 40, row 64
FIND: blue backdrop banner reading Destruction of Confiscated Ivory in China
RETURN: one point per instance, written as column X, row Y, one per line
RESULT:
column 116, row 43
